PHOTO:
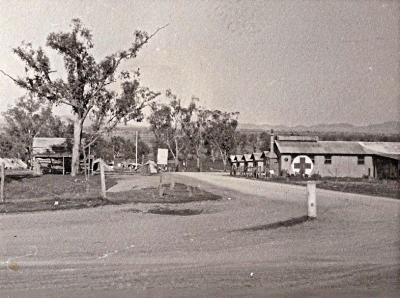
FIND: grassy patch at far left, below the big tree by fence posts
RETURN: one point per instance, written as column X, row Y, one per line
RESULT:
column 52, row 192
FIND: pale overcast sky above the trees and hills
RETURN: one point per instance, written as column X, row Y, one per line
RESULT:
column 277, row 62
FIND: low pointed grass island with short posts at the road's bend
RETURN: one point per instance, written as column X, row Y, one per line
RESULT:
column 180, row 193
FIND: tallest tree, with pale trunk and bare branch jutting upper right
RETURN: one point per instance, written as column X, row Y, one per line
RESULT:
column 86, row 88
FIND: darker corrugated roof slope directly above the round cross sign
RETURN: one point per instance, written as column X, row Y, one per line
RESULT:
column 321, row 147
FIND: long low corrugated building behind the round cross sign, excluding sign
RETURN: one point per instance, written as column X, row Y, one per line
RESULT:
column 339, row 158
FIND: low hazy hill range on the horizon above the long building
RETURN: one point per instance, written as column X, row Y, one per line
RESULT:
column 391, row 127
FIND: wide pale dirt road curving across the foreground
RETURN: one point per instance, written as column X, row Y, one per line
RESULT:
column 230, row 250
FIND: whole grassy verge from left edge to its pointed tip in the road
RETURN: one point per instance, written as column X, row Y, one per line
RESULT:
column 57, row 192
